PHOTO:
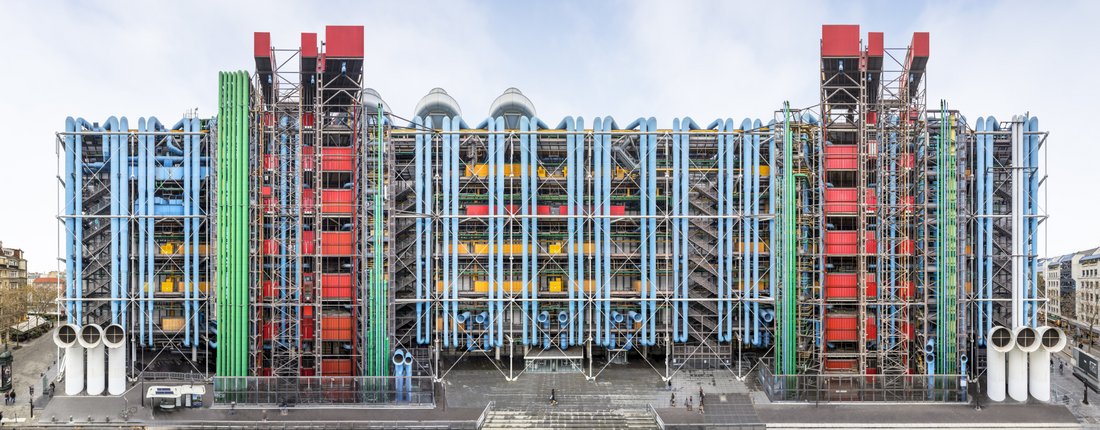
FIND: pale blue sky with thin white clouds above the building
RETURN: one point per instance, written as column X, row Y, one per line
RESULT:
column 622, row 59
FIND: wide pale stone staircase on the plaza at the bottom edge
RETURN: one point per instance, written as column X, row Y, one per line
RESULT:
column 534, row 420
